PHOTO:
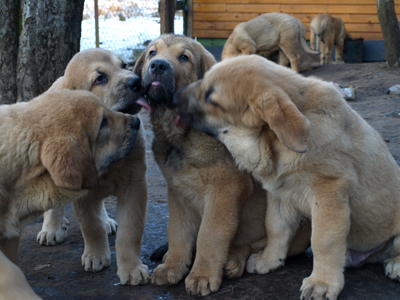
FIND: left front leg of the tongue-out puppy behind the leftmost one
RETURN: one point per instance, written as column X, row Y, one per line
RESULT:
column 89, row 213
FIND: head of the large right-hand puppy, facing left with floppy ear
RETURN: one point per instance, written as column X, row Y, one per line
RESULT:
column 246, row 92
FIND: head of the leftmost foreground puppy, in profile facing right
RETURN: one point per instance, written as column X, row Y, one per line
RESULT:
column 80, row 138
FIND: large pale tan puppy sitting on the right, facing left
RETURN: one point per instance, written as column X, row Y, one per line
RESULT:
column 314, row 155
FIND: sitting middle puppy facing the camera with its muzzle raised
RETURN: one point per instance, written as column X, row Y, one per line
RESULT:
column 214, row 208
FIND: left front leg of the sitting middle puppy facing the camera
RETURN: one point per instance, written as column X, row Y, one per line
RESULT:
column 181, row 231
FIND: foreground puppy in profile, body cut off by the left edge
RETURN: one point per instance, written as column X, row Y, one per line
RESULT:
column 53, row 150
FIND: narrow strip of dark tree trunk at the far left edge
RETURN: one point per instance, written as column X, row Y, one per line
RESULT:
column 8, row 50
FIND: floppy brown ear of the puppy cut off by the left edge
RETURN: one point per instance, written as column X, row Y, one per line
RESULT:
column 70, row 163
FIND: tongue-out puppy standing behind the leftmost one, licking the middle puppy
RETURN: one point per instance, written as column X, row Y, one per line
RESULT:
column 105, row 74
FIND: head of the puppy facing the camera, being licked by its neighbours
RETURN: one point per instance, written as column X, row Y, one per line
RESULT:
column 169, row 63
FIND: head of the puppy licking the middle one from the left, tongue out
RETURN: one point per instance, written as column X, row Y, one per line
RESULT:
column 105, row 74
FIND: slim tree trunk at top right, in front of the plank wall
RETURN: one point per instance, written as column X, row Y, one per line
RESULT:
column 390, row 30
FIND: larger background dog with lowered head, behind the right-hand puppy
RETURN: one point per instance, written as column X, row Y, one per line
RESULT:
column 268, row 33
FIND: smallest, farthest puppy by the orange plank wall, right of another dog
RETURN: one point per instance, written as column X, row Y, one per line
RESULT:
column 331, row 32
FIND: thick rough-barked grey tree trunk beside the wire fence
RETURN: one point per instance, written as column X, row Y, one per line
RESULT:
column 50, row 36
